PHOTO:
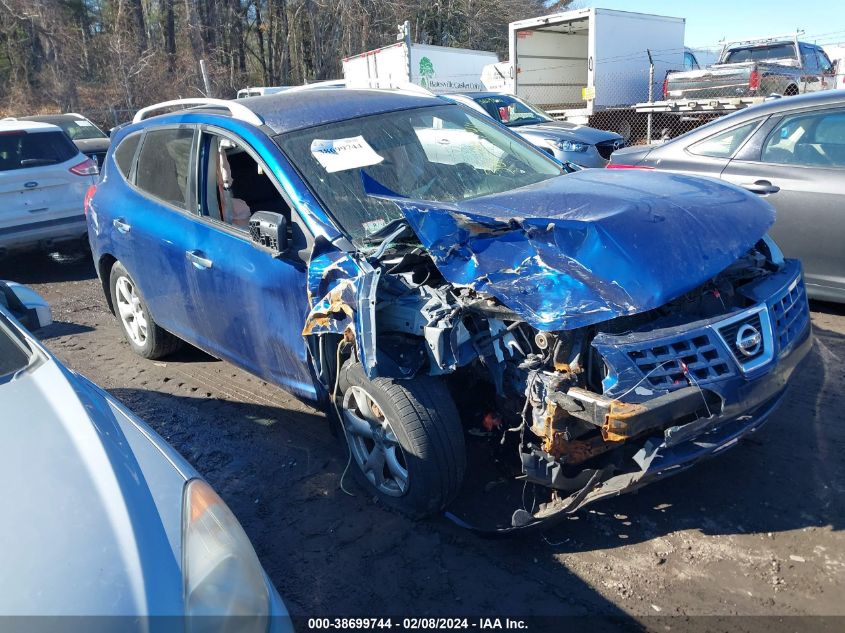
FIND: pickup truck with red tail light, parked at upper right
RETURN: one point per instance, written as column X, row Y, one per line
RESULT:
column 755, row 68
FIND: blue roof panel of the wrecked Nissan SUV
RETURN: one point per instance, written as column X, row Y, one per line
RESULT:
column 298, row 109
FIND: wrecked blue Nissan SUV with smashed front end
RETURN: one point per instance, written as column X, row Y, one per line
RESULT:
column 430, row 277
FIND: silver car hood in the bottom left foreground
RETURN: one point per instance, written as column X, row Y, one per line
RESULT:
column 91, row 522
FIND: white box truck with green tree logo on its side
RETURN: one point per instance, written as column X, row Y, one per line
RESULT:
column 440, row 69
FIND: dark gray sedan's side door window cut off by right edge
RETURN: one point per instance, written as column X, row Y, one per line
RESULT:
column 811, row 140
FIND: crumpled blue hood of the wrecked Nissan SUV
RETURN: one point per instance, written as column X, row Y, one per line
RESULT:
column 593, row 245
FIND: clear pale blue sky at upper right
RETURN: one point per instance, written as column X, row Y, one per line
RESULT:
column 708, row 21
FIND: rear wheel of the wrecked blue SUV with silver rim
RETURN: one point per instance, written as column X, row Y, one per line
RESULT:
column 139, row 329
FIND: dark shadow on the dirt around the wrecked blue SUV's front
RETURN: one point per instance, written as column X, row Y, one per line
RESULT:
column 279, row 470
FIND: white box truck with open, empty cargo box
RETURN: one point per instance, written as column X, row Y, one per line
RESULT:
column 578, row 63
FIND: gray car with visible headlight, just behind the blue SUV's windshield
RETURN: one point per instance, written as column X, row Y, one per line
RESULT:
column 567, row 142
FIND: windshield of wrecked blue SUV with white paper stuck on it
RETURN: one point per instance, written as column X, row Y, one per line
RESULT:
column 440, row 153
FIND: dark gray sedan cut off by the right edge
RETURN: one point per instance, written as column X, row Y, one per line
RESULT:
column 792, row 153
